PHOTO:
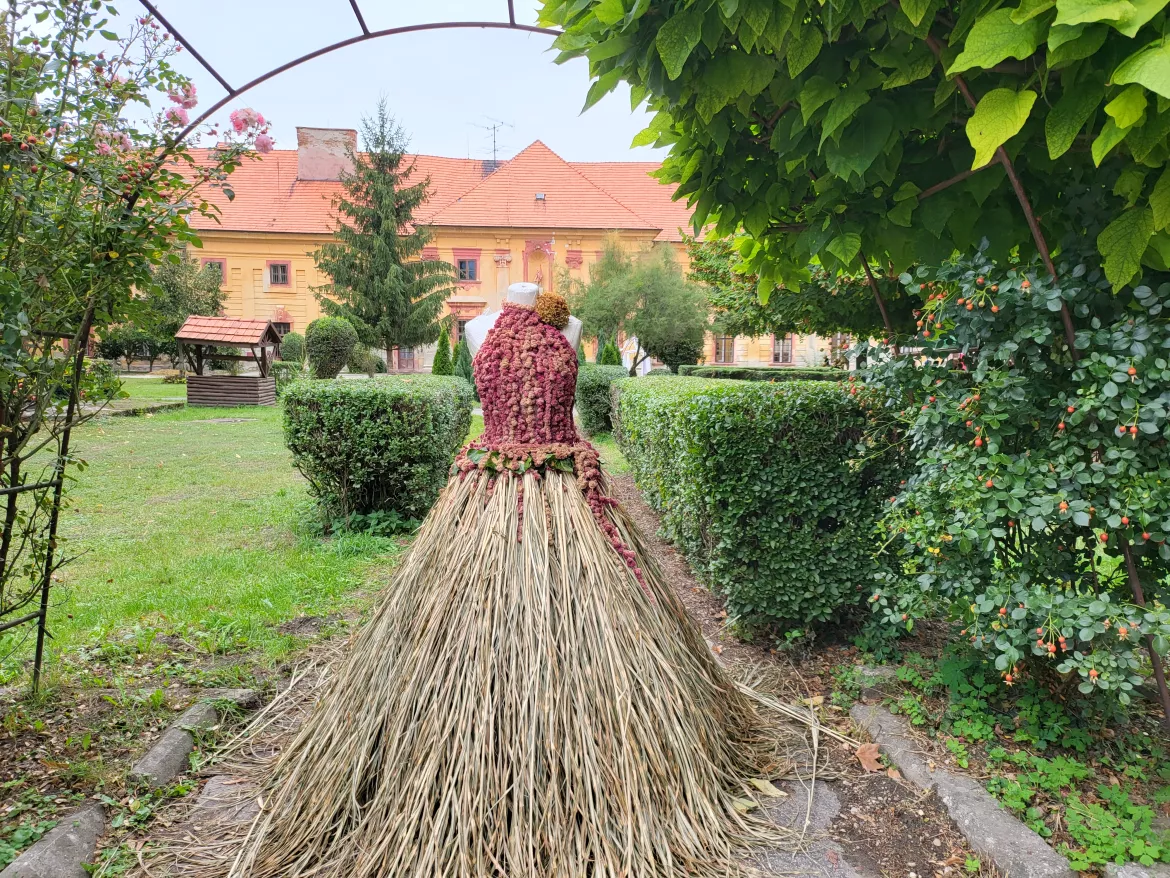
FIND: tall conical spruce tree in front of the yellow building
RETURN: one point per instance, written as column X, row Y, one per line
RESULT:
column 378, row 278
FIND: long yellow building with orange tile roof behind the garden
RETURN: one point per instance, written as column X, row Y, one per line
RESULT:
column 534, row 218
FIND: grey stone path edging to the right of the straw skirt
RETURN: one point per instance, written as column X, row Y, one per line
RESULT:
column 993, row 833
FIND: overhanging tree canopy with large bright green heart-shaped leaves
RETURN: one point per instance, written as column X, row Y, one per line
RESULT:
column 855, row 132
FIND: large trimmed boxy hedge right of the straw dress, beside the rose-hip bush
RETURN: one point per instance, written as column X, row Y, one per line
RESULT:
column 768, row 490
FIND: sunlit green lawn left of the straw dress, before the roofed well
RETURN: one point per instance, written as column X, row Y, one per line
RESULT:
column 182, row 524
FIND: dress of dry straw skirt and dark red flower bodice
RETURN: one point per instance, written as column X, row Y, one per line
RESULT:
column 531, row 699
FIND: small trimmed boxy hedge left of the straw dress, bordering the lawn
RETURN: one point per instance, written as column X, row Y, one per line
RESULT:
column 383, row 445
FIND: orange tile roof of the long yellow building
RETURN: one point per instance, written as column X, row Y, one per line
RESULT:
column 464, row 193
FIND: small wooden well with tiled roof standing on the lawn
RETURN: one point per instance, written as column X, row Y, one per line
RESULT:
column 198, row 340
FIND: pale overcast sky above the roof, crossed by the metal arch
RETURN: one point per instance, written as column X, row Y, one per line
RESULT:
column 443, row 86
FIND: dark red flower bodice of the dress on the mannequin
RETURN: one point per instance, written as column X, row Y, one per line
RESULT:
column 527, row 376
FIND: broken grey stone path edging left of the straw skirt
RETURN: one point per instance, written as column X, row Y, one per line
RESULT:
column 65, row 850
